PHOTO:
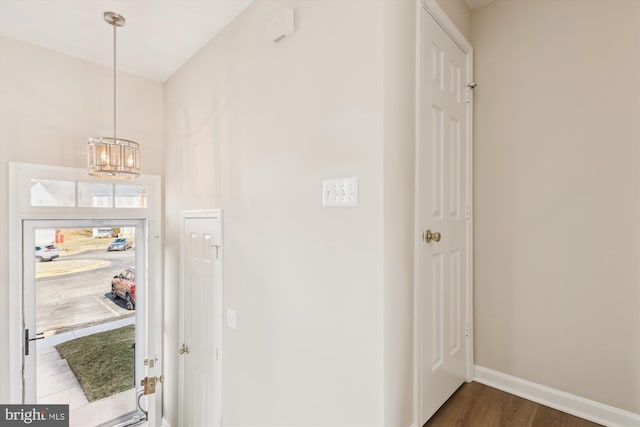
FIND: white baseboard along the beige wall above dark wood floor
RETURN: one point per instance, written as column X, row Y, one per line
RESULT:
column 575, row 405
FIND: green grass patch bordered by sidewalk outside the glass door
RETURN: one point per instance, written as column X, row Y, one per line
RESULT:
column 102, row 363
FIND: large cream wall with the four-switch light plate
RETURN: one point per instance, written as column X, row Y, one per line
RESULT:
column 253, row 128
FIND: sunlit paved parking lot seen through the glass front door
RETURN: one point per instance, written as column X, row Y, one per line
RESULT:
column 76, row 290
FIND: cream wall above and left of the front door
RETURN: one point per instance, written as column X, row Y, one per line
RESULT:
column 49, row 105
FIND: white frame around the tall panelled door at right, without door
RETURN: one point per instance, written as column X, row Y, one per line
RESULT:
column 433, row 9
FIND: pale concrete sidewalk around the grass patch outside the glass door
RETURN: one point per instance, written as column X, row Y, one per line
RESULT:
column 58, row 385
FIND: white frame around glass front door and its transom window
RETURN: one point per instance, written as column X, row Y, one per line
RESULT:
column 20, row 209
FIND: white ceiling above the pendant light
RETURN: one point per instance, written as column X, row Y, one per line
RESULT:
column 159, row 35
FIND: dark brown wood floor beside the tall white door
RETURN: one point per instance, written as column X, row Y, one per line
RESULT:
column 477, row 405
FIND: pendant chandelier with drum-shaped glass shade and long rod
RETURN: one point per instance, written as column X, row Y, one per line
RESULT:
column 113, row 157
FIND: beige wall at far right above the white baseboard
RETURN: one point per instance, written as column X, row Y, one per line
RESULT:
column 558, row 195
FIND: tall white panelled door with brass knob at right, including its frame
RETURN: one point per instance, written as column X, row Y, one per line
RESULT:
column 443, row 205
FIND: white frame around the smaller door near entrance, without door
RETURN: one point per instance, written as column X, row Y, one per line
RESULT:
column 217, row 307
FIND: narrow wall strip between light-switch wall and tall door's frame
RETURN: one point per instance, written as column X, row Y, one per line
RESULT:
column 399, row 44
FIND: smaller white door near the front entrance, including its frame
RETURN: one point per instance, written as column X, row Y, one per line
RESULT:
column 200, row 354
